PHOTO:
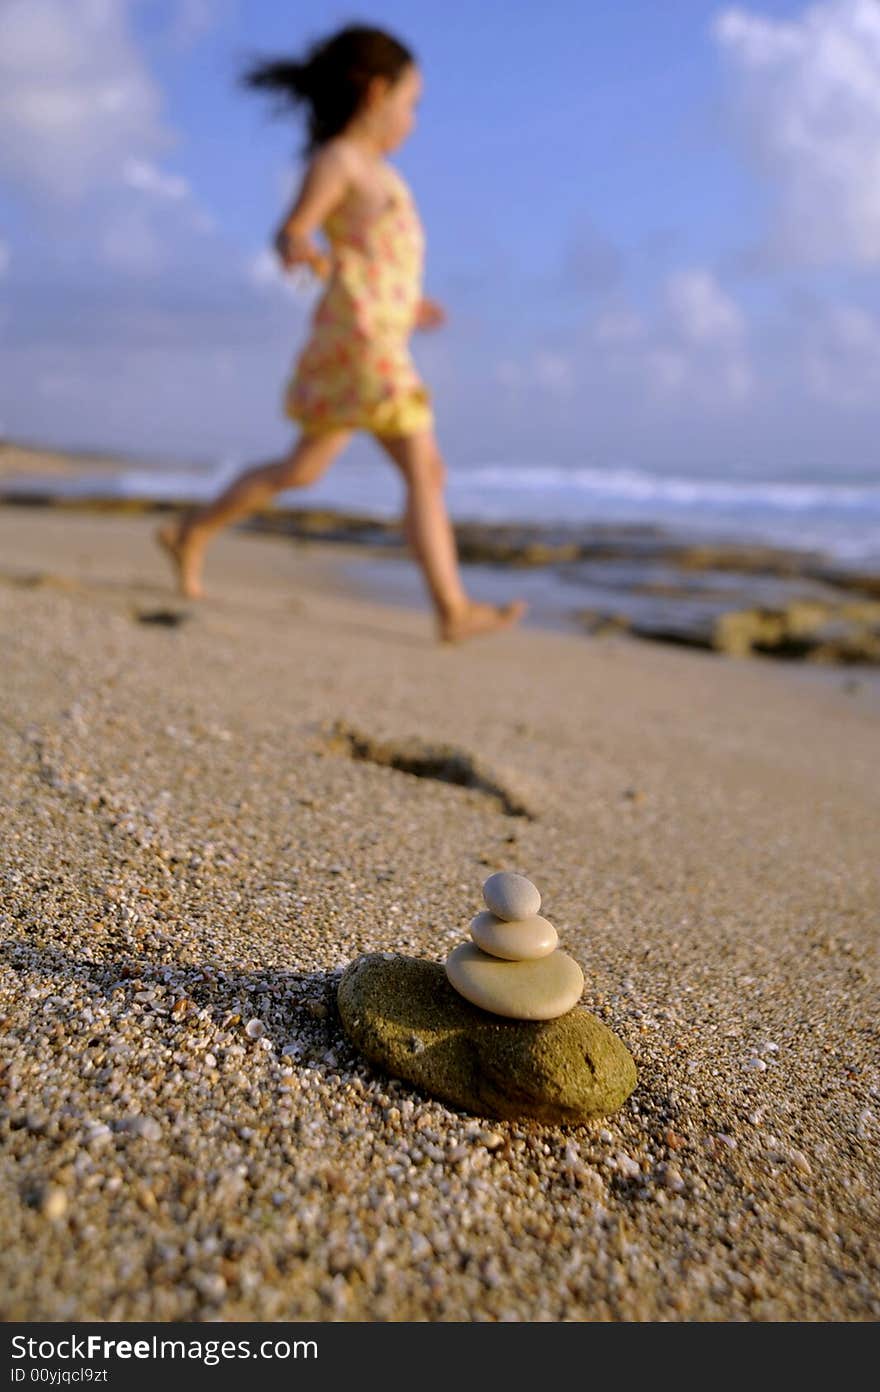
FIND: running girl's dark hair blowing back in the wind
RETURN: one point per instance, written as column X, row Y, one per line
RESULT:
column 333, row 77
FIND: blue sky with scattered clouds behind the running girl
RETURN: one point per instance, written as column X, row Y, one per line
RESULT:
column 655, row 229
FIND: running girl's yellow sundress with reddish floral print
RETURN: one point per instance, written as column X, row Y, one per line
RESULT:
column 356, row 371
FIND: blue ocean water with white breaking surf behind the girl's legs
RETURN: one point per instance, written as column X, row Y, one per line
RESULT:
column 838, row 514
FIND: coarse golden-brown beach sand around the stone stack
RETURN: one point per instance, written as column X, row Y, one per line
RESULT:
column 179, row 829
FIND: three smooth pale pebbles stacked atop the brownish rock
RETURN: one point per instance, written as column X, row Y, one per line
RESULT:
column 514, row 967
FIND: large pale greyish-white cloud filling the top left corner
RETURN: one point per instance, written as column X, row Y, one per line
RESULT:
column 76, row 97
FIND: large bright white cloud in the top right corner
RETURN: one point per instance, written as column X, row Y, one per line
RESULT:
column 811, row 101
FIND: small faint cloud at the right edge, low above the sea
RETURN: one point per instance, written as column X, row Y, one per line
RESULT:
column 842, row 357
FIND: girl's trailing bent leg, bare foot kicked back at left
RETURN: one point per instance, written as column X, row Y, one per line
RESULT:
column 186, row 541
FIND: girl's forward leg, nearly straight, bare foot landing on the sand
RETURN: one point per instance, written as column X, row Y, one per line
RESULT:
column 431, row 537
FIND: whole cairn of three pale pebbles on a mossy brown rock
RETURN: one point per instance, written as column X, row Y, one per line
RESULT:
column 418, row 1022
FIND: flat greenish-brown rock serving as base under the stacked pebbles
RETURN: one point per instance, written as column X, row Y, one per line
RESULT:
column 406, row 1018
